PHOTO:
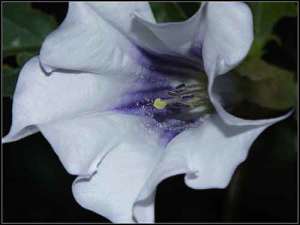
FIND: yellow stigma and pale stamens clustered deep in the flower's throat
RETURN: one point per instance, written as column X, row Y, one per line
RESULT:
column 187, row 101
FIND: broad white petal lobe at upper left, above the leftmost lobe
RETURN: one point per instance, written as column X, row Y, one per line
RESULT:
column 87, row 42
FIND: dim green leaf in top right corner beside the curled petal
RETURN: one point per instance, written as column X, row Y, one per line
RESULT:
column 265, row 16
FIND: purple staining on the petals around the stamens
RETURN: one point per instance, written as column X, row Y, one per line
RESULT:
column 156, row 81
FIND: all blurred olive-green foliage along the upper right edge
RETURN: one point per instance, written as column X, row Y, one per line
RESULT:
column 268, row 85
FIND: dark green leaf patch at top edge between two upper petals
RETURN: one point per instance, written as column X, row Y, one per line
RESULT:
column 167, row 11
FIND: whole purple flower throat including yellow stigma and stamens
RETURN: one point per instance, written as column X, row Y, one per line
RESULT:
column 170, row 93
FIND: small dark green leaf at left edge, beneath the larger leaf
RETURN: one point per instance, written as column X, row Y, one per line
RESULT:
column 9, row 78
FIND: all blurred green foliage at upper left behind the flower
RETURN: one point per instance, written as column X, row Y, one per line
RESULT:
column 24, row 30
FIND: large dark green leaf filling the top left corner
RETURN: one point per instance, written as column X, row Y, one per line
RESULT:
column 24, row 28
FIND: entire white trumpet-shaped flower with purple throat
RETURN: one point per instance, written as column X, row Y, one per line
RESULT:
column 124, row 102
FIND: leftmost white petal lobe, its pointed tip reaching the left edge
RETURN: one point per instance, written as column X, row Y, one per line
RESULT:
column 40, row 99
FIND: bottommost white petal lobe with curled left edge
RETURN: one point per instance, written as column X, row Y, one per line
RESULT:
column 112, row 190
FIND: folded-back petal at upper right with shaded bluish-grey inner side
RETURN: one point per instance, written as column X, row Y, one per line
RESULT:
column 218, row 31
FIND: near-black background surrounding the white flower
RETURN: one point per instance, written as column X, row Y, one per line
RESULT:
column 36, row 188
